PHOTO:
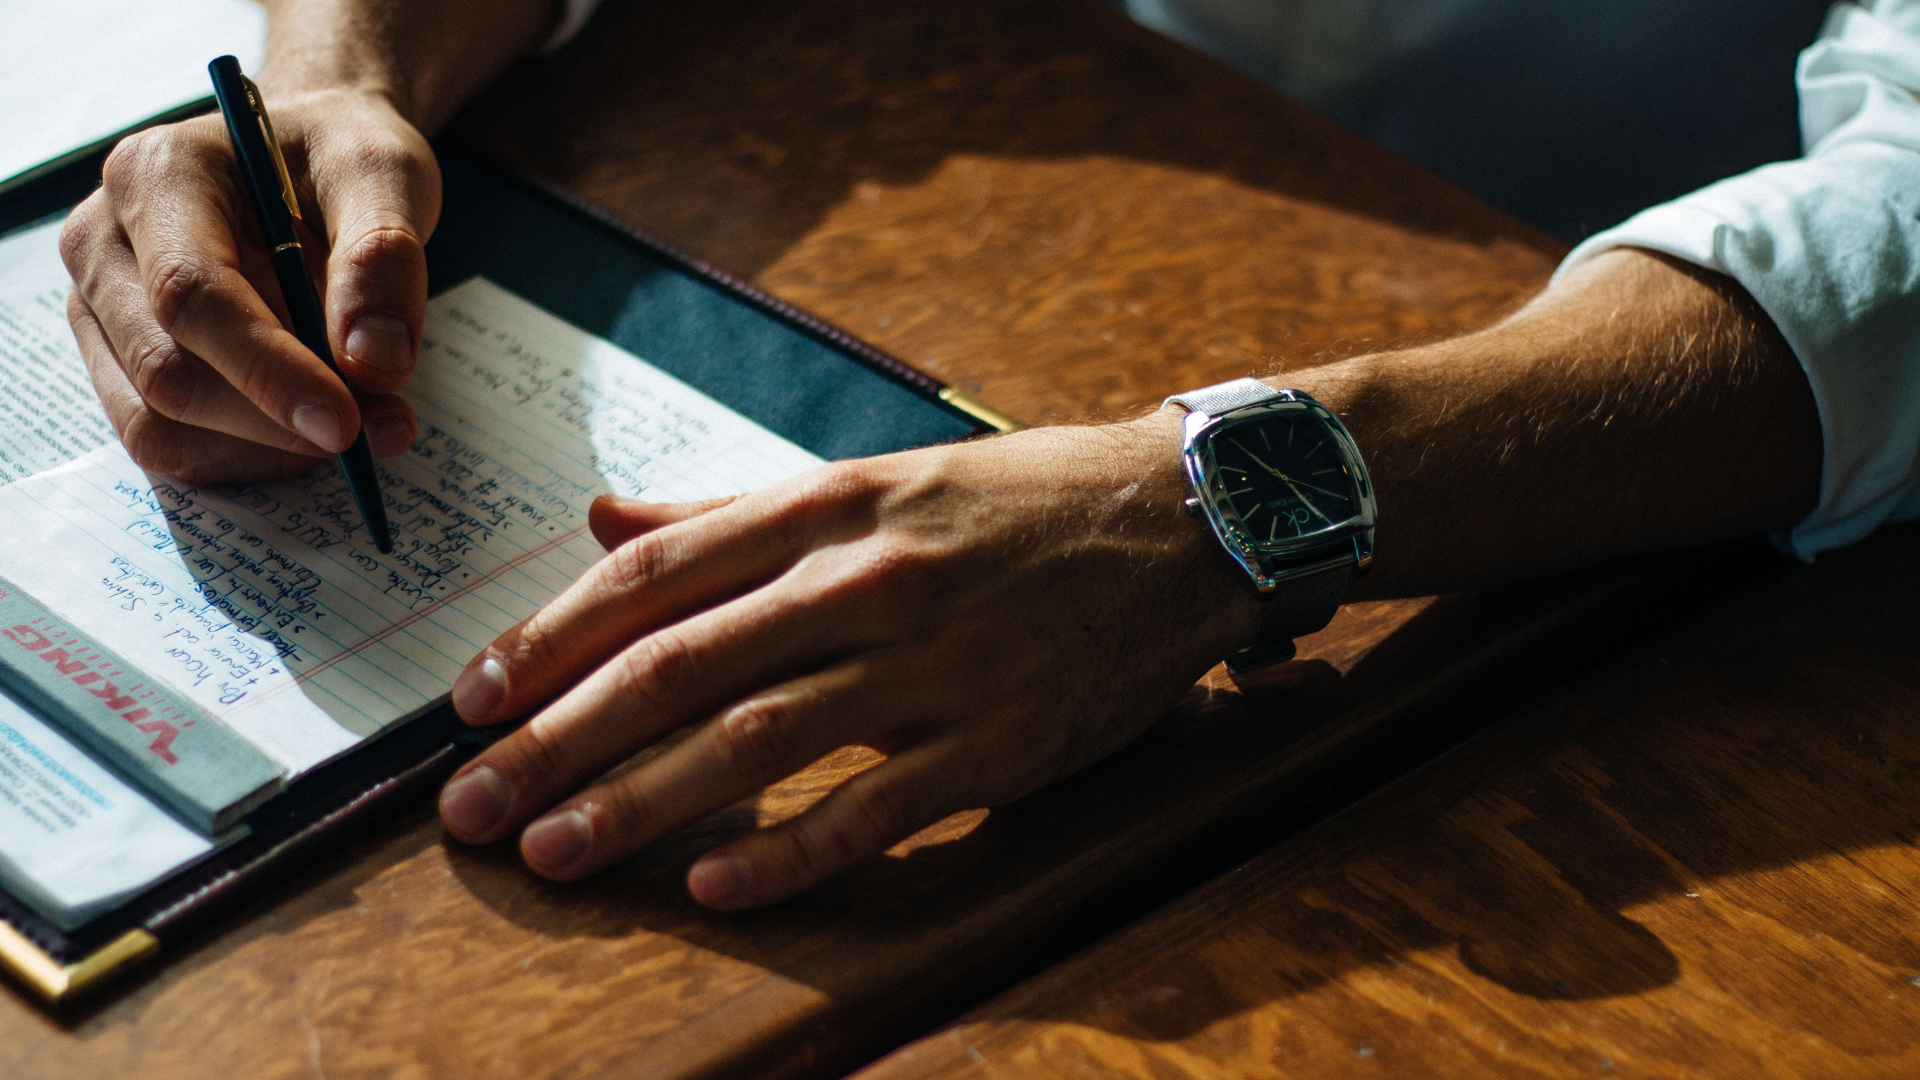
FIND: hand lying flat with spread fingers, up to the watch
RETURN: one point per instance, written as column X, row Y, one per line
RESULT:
column 990, row 616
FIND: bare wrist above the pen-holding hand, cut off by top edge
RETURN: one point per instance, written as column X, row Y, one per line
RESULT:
column 425, row 57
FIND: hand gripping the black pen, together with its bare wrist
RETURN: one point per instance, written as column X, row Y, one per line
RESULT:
column 174, row 301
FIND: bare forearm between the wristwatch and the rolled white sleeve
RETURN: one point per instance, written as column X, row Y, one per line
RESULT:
column 1641, row 405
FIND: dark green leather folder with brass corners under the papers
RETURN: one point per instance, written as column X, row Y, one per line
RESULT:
column 777, row 366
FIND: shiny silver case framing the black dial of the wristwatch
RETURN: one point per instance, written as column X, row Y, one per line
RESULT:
column 1274, row 564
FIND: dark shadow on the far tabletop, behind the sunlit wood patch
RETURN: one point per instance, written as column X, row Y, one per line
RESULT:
column 736, row 128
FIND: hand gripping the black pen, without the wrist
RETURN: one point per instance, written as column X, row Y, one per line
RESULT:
column 180, row 316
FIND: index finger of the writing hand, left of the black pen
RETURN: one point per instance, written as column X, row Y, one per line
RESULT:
column 181, row 212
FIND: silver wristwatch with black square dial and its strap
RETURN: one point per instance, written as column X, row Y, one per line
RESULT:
column 1285, row 491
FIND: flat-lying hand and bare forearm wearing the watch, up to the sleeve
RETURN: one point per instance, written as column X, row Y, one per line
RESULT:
column 999, row 614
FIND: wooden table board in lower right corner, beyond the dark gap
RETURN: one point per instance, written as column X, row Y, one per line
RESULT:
column 1696, row 862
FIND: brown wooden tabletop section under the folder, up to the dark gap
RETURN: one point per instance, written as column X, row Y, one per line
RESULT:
column 1055, row 210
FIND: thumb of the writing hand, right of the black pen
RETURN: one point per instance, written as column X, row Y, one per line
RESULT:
column 379, row 222
